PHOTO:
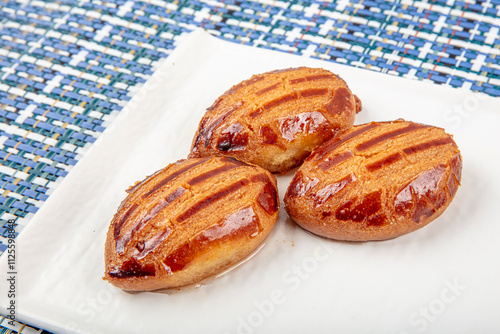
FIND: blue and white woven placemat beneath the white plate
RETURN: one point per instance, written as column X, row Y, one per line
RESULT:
column 67, row 68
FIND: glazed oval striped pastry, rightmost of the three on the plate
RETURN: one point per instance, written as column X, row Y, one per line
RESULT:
column 376, row 181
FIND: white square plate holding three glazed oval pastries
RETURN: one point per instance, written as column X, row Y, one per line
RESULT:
column 443, row 278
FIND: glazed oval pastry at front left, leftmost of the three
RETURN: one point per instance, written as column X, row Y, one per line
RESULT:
column 188, row 221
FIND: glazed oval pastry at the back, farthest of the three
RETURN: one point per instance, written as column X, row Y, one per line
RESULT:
column 275, row 119
